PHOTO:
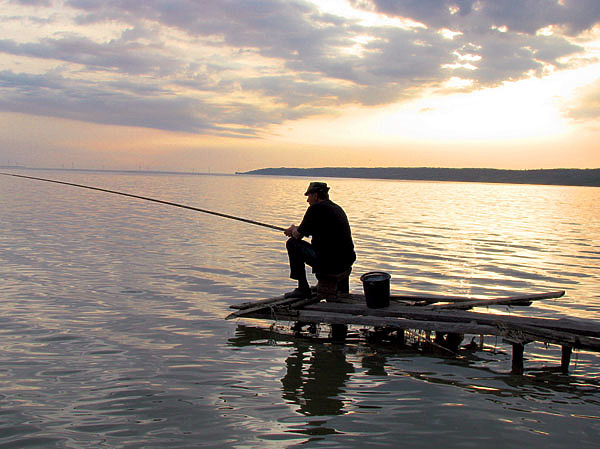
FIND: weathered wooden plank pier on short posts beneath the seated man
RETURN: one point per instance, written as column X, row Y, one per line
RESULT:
column 448, row 317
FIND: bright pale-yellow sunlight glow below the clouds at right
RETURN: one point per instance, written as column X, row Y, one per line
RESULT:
column 455, row 114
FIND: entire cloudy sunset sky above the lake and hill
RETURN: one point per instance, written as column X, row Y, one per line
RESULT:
column 235, row 85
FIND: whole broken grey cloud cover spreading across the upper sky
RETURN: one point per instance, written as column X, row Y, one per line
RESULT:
column 237, row 67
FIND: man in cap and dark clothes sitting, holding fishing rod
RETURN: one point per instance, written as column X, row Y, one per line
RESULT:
column 331, row 249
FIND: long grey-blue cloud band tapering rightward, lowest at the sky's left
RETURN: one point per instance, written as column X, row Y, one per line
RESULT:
column 130, row 104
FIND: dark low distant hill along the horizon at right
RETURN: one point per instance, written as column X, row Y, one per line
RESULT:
column 559, row 176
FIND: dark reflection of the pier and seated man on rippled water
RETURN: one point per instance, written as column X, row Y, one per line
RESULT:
column 318, row 371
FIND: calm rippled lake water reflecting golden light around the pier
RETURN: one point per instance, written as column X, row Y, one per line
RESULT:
column 112, row 330
